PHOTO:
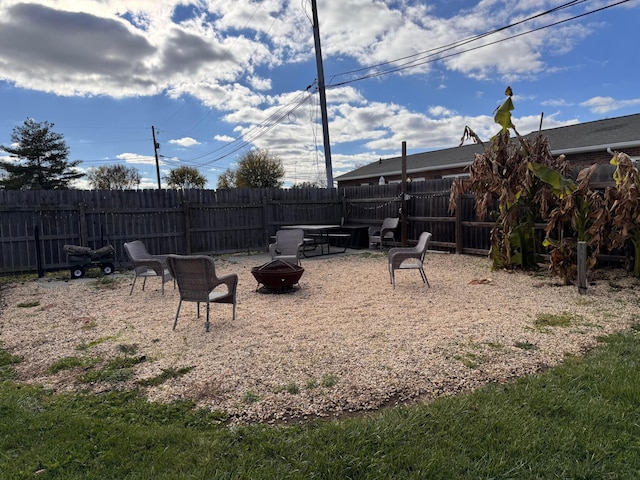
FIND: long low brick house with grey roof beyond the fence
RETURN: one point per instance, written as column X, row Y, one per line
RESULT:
column 583, row 144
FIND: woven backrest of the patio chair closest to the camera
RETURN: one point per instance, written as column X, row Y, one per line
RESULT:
column 194, row 274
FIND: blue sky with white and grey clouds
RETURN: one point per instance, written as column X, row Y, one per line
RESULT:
column 213, row 79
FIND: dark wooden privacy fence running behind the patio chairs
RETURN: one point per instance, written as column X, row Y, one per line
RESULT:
column 35, row 225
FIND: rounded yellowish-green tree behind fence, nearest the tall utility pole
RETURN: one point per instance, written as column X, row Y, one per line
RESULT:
column 256, row 169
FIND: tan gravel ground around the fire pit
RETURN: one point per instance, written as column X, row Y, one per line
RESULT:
column 345, row 342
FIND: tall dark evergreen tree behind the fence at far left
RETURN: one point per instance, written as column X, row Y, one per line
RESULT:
column 42, row 159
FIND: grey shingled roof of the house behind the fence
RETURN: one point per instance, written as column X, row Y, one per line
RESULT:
column 615, row 133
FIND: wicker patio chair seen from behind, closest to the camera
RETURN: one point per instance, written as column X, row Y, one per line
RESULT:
column 197, row 282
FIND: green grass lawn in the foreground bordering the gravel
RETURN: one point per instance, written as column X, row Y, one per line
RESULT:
column 580, row 420
